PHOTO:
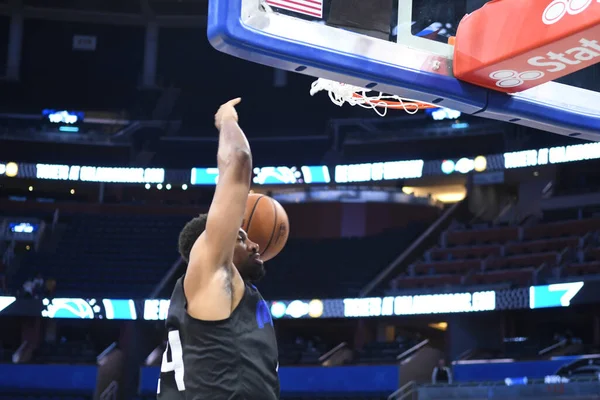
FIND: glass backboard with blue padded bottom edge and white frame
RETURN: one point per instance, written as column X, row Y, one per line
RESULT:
column 401, row 47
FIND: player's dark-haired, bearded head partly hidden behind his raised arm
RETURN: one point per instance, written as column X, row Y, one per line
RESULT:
column 245, row 254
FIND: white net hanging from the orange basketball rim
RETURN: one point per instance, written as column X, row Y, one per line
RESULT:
column 341, row 93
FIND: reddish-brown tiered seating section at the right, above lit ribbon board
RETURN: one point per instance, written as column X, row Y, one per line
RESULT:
column 510, row 255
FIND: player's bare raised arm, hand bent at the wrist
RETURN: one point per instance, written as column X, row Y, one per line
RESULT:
column 211, row 255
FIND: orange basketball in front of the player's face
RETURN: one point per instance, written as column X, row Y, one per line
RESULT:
column 266, row 224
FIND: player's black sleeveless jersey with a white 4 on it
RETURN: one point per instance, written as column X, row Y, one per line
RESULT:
column 233, row 359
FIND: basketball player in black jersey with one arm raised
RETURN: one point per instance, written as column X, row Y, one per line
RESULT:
column 221, row 343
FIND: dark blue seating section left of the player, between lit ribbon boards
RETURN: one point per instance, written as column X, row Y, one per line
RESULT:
column 109, row 255
